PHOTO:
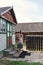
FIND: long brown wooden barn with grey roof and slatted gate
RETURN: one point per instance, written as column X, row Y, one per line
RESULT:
column 32, row 33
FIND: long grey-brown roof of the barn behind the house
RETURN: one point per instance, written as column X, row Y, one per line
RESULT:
column 29, row 27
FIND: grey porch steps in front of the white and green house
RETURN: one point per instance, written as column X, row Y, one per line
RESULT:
column 12, row 53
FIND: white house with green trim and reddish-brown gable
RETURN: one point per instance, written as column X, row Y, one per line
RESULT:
column 7, row 27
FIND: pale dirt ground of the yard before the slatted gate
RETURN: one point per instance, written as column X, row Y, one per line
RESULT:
column 36, row 56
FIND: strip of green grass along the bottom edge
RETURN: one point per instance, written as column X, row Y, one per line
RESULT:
column 7, row 62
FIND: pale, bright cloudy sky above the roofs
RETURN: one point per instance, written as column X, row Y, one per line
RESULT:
column 26, row 11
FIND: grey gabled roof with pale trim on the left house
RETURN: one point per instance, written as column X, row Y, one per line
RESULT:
column 4, row 10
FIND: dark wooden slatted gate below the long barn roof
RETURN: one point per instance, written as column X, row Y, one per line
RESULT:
column 34, row 43
